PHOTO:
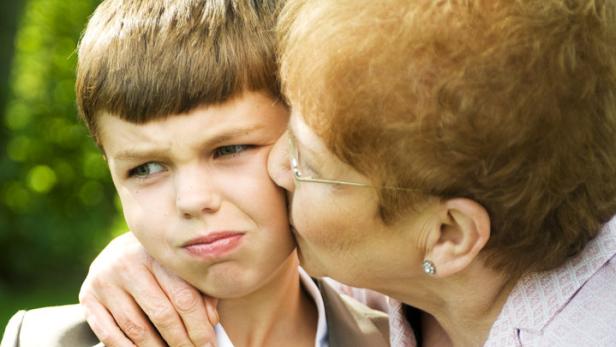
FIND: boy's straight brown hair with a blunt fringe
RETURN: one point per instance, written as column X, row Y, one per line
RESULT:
column 146, row 59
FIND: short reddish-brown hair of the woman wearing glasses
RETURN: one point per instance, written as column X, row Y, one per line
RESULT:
column 509, row 103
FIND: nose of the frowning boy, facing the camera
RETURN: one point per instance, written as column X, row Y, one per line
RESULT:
column 196, row 194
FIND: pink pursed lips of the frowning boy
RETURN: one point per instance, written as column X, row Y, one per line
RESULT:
column 214, row 244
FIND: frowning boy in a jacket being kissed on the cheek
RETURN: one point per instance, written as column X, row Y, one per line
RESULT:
column 183, row 99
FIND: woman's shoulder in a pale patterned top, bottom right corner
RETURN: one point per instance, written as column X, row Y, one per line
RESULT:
column 572, row 305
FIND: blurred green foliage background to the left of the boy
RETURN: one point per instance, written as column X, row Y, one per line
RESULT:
column 57, row 204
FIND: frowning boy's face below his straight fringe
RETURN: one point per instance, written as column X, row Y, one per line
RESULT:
column 196, row 192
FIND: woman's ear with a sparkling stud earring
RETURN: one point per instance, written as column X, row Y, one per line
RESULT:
column 464, row 231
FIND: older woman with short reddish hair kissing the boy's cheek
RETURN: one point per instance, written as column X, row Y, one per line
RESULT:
column 459, row 157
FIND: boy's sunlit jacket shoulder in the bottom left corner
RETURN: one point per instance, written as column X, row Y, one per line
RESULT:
column 49, row 326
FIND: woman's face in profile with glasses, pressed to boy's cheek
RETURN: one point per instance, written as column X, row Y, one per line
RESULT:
column 337, row 227
